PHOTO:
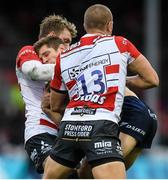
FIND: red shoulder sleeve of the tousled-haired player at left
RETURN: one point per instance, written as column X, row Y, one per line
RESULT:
column 27, row 53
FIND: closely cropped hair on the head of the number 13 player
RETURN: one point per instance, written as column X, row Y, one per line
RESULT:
column 97, row 16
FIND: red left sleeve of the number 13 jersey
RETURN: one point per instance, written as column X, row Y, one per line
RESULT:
column 56, row 82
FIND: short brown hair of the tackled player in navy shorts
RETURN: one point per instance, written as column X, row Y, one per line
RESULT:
column 50, row 41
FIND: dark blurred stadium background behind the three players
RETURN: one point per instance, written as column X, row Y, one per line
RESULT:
column 144, row 22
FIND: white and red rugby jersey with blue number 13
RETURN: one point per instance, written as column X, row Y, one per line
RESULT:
column 93, row 71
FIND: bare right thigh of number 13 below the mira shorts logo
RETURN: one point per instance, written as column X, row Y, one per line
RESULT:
column 111, row 170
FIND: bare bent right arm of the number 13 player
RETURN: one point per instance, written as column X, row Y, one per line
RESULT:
column 147, row 76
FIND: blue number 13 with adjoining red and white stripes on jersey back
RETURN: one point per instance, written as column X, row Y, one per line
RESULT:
column 98, row 81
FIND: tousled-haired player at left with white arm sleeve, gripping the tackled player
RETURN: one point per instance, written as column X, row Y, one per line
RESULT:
column 32, row 73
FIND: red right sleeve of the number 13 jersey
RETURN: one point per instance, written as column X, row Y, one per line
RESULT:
column 125, row 46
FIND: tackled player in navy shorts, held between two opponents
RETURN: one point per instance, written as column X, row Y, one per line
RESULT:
column 137, row 125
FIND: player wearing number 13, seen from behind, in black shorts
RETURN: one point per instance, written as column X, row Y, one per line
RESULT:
column 93, row 72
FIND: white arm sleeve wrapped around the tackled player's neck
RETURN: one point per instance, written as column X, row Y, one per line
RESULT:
column 35, row 70
